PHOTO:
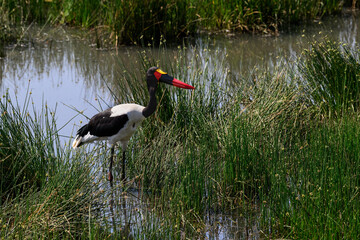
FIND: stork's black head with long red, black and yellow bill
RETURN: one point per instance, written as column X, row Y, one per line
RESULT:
column 155, row 75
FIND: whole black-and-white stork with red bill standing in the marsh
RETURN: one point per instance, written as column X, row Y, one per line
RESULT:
column 118, row 124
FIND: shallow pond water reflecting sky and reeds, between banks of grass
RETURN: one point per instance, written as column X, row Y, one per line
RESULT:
column 69, row 75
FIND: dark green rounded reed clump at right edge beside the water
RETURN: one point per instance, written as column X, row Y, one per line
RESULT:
column 330, row 72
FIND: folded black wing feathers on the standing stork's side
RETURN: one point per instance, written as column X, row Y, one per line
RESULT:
column 102, row 125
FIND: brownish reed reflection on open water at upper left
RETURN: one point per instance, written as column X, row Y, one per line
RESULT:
column 81, row 62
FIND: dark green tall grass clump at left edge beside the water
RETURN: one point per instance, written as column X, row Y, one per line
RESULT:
column 22, row 170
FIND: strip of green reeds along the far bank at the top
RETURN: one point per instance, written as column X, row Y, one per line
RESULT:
column 135, row 21
